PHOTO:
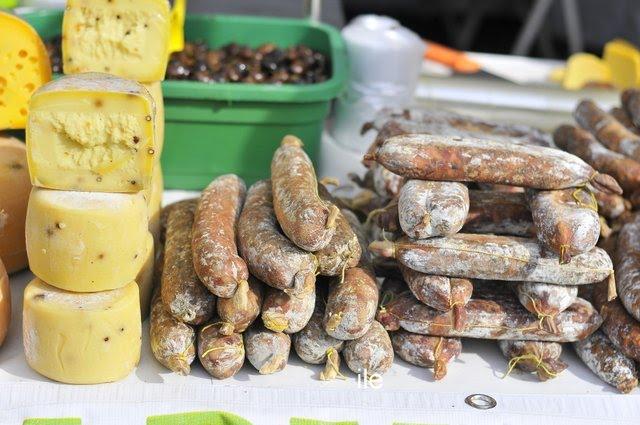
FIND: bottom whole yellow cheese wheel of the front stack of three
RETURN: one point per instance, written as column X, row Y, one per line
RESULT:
column 81, row 338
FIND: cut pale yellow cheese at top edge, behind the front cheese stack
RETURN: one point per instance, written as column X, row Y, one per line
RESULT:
column 126, row 38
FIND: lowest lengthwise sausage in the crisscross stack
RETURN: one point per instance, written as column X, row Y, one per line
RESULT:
column 499, row 316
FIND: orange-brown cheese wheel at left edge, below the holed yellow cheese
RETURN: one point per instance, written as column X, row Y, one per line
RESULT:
column 14, row 195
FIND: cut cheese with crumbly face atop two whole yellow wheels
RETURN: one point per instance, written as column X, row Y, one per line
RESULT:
column 91, row 132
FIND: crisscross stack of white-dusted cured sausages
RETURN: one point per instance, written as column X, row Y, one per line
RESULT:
column 482, row 231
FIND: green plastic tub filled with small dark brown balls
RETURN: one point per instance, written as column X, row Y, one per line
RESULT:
column 213, row 129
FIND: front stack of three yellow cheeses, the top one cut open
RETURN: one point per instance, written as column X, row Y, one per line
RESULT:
column 92, row 155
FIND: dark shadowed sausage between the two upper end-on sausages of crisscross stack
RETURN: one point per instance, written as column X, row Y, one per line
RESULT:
column 499, row 213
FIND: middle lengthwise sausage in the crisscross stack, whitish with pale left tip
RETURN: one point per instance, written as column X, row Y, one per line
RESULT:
column 494, row 257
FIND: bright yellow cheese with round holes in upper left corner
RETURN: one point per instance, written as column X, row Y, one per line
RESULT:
column 24, row 66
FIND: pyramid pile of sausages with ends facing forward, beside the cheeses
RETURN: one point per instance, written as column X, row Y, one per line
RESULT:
column 249, row 273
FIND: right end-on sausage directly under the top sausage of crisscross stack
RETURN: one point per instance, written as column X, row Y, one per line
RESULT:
column 566, row 221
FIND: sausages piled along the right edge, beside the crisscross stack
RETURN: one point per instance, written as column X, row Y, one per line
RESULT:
column 610, row 143
